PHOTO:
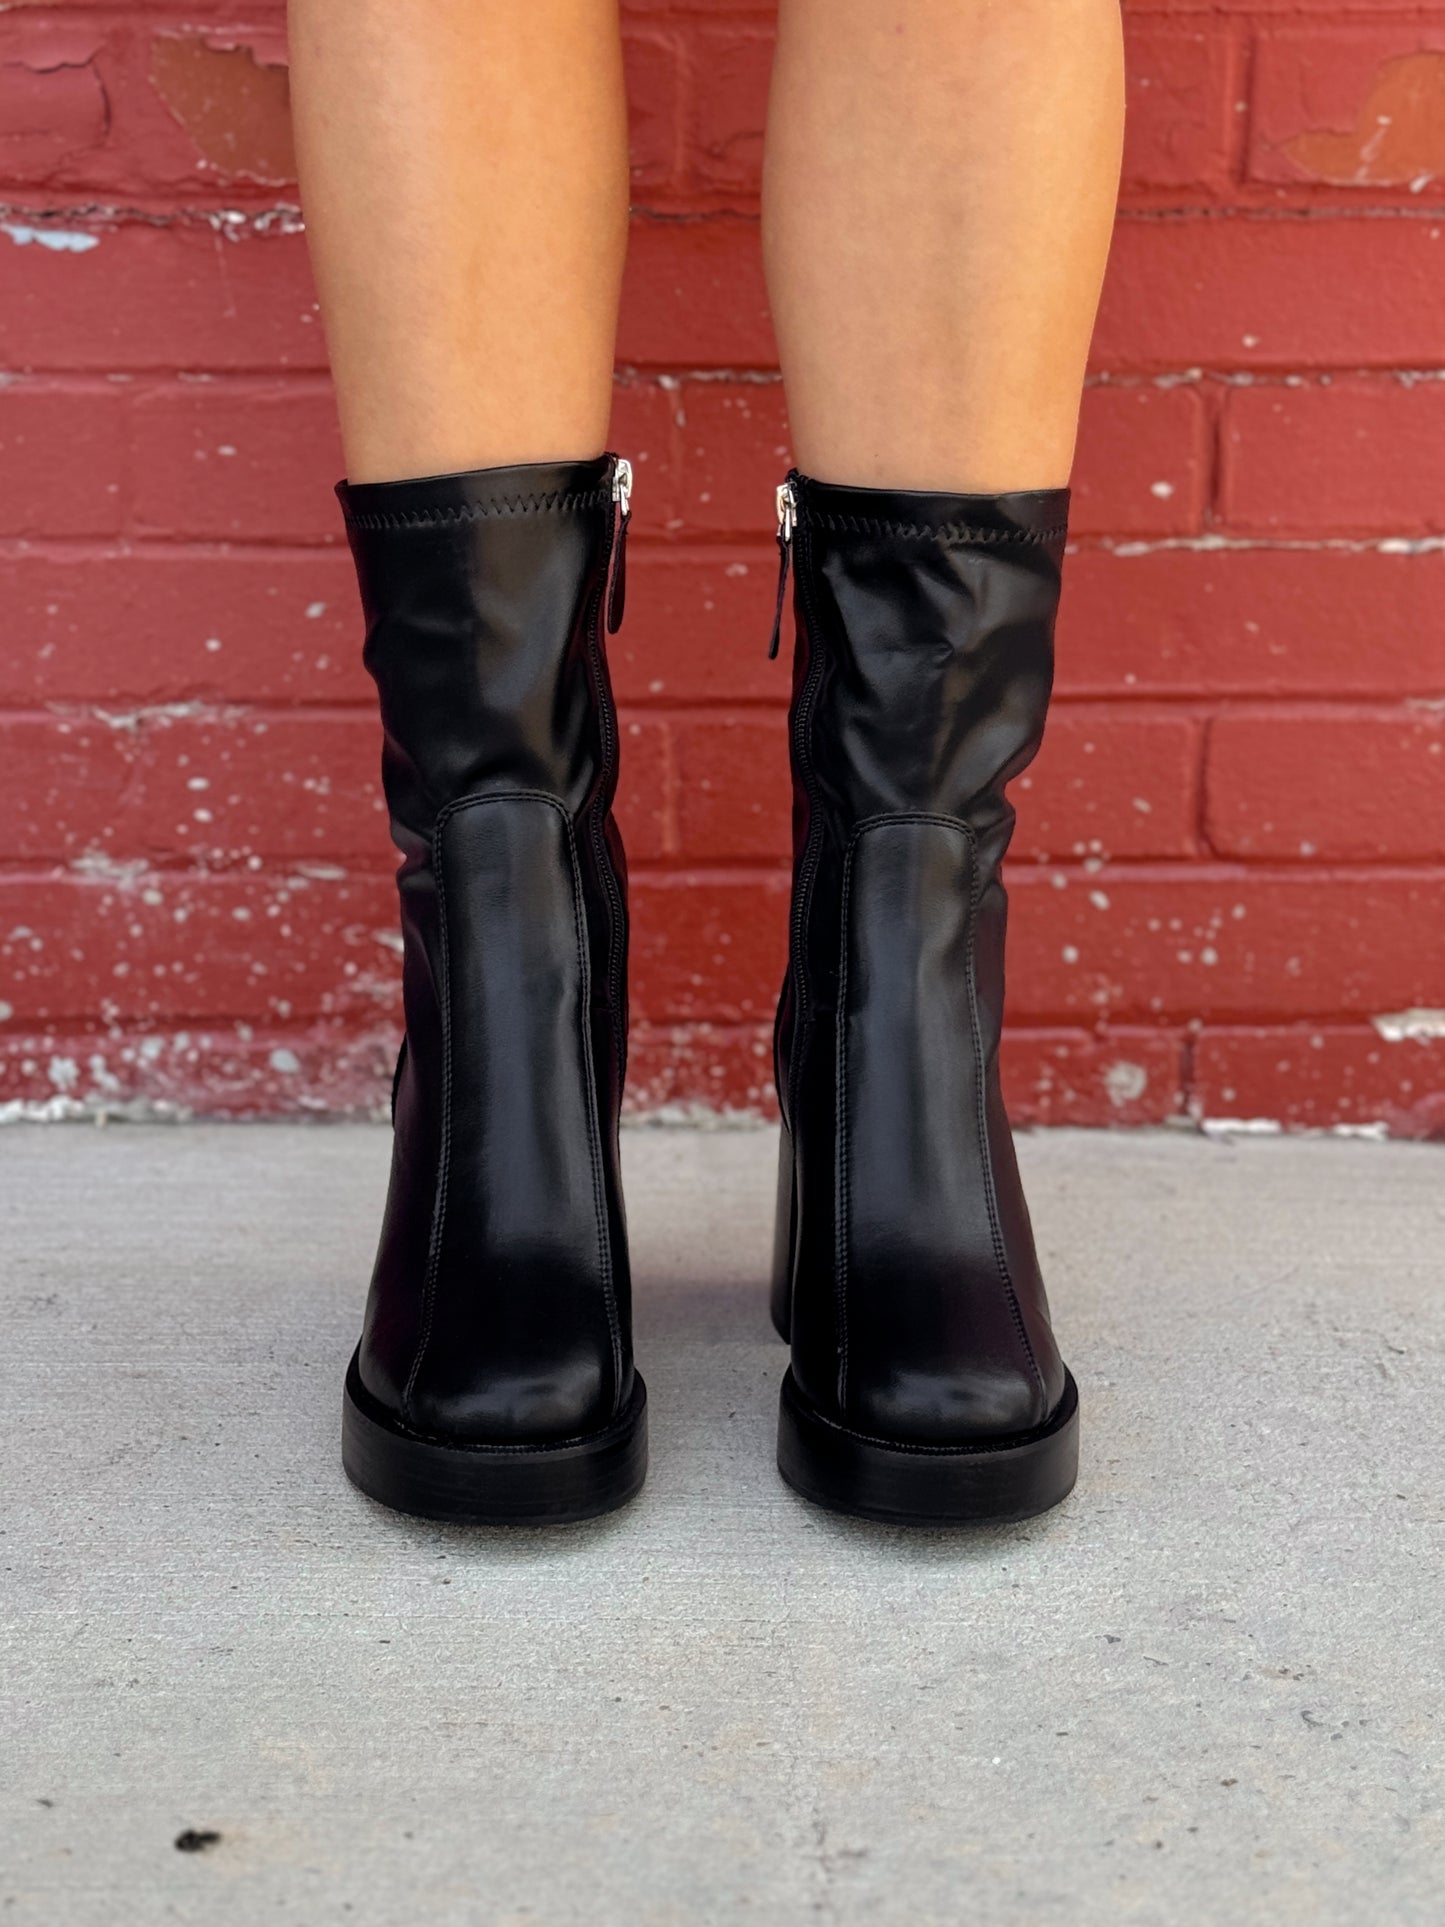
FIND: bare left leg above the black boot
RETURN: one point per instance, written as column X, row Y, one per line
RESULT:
column 465, row 184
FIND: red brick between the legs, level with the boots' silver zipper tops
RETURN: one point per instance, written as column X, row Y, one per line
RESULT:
column 735, row 452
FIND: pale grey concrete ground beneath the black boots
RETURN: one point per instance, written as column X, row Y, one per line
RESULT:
column 1209, row 1689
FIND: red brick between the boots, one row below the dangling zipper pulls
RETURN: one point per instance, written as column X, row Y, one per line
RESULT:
column 735, row 791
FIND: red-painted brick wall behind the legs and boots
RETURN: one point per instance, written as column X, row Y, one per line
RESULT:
column 1232, row 855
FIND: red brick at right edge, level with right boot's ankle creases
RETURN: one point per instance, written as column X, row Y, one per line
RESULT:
column 1340, row 787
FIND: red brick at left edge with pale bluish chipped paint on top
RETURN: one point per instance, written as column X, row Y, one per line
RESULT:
column 169, row 296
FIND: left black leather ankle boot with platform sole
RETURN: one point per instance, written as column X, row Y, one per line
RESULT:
column 494, row 1379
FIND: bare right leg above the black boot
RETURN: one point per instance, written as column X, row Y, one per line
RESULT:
column 937, row 209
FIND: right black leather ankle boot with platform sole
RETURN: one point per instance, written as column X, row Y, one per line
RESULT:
column 926, row 1383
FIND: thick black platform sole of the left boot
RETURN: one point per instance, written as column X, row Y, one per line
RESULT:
column 483, row 1485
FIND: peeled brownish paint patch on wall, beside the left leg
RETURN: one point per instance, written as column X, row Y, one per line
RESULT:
column 232, row 101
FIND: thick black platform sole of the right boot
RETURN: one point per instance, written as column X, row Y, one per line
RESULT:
column 928, row 1485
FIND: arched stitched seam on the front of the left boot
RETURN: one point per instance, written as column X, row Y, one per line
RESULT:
column 591, row 1082
